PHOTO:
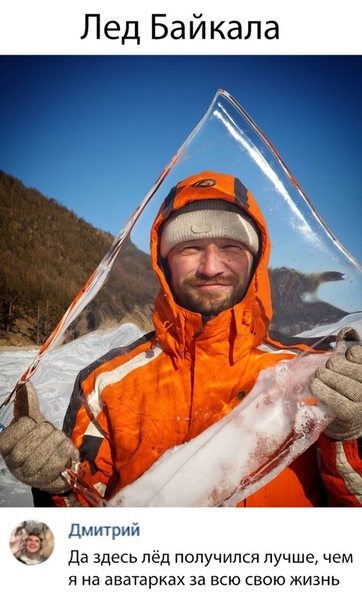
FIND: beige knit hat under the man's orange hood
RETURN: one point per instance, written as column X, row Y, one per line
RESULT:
column 208, row 219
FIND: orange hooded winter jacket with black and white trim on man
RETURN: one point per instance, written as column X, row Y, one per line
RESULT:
column 135, row 403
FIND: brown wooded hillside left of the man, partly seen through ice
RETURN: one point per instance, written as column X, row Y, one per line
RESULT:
column 47, row 254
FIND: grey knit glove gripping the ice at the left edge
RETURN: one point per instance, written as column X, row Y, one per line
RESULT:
column 33, row 449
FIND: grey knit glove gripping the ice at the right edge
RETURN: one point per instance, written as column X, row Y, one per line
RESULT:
column 339, row 386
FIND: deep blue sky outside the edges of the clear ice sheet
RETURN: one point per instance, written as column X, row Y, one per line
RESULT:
column 94, row 131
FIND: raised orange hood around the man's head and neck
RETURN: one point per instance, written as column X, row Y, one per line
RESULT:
column 245, row 325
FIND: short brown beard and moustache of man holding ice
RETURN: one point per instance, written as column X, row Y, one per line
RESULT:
column 209, row 303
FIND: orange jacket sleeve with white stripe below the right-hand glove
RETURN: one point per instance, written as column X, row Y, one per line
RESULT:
column 341, row 470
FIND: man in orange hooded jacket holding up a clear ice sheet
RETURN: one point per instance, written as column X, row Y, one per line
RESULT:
column 210, row 250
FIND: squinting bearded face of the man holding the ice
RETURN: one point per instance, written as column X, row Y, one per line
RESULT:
column 209, row 275
